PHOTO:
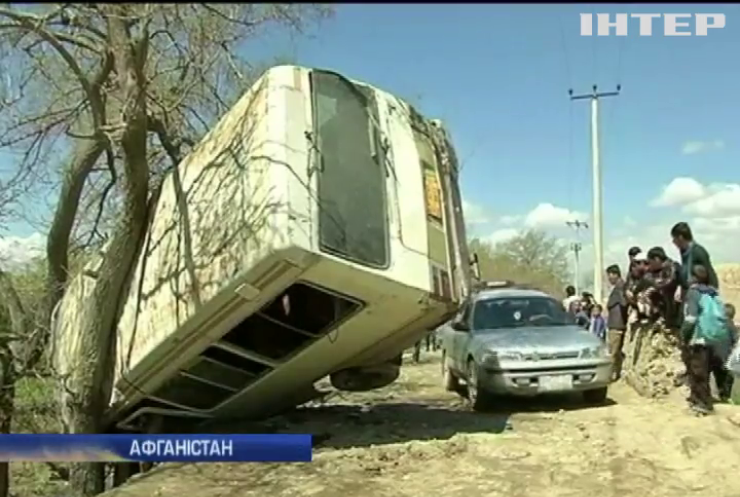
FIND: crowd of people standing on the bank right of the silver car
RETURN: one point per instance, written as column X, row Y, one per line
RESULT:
column 680, row 298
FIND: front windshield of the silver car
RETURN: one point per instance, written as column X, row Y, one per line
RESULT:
column 518, row 312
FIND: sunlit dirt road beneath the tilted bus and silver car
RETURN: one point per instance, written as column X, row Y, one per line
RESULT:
column 414, row 439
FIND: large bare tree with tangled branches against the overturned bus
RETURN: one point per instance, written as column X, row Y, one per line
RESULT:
column 122, row 91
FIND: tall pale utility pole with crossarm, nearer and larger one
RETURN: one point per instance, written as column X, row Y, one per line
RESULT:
column 594, row 96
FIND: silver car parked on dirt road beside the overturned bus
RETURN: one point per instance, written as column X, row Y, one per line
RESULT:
column 521, row 342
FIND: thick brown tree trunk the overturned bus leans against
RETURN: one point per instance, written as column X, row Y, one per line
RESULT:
column 93, row 378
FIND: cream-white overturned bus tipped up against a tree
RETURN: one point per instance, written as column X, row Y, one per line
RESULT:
column 316, row 230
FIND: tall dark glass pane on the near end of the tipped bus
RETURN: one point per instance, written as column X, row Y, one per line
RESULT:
column 351, row 185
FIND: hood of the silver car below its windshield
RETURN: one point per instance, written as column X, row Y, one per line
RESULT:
column 538, row 338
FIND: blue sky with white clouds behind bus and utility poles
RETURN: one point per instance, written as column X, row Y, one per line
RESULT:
column 499, row 75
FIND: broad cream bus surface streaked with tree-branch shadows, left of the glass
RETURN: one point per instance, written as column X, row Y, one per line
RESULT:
column 215, row 217
